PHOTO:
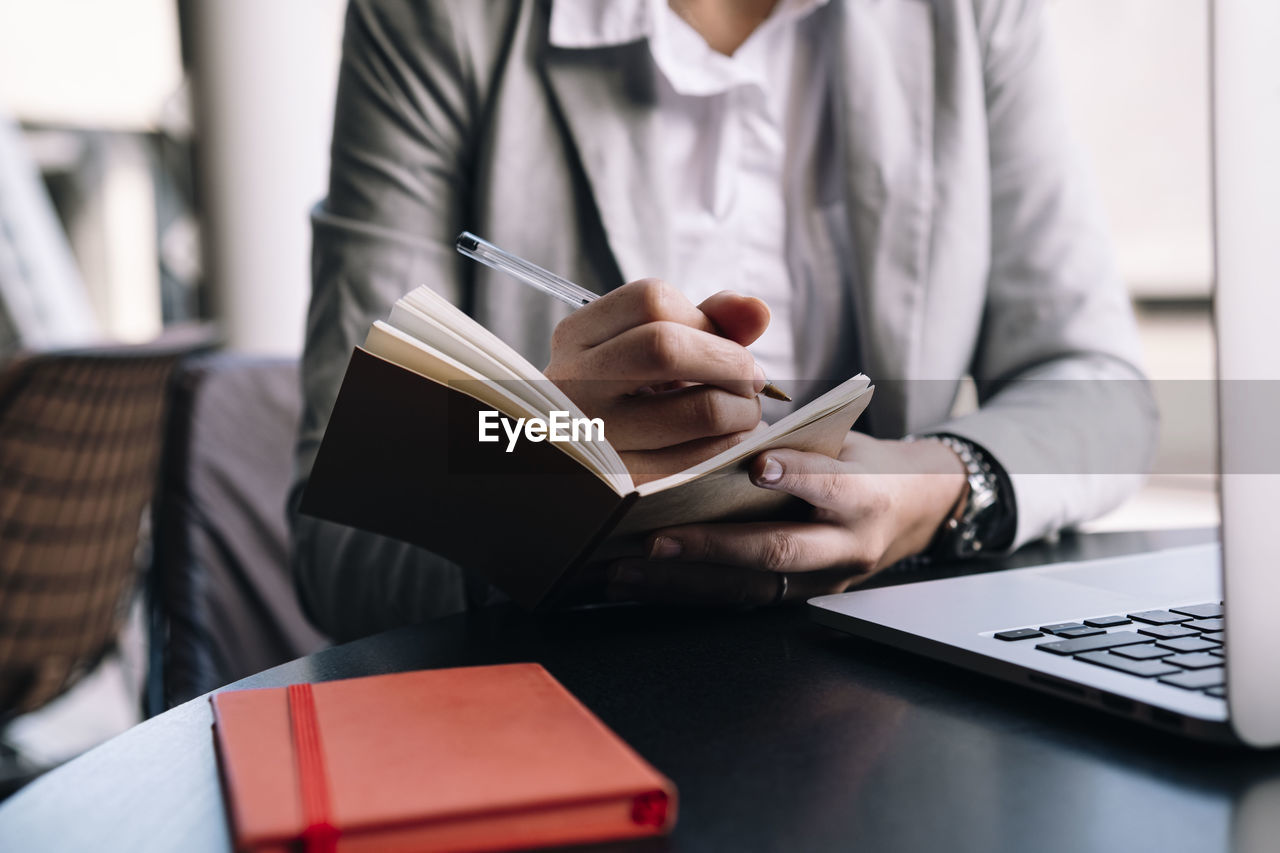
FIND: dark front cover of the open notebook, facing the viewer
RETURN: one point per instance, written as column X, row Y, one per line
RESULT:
column 390, row 464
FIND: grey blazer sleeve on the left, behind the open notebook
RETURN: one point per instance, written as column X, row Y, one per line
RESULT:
column 406, row 95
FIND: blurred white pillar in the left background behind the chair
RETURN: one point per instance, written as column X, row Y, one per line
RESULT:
column 266, row 76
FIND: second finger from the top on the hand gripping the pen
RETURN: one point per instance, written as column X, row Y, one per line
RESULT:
column 660, row 353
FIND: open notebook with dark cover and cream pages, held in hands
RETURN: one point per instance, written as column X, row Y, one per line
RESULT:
column 403, row 457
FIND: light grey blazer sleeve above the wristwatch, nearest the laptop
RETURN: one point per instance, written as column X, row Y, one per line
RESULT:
column 1066, row 408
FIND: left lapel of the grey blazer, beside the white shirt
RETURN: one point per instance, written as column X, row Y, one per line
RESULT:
column 609, row 102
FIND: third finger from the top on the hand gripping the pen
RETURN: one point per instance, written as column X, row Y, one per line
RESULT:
column 669, row 418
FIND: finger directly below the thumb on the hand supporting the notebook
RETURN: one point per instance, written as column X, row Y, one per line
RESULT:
column 767, row 546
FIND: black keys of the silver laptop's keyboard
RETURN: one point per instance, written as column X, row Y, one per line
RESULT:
column 1181, row 646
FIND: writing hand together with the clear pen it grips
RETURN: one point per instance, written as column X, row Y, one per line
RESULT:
column 643, row 336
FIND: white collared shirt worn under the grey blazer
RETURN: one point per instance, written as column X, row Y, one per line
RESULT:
column 740, row 135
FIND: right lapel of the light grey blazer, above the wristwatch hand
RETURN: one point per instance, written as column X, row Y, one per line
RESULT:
column 885, row 113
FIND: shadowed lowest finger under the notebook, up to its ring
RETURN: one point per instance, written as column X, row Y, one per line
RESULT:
column 691, row 585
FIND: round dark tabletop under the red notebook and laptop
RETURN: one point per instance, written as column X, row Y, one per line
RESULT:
column 781, row 736
